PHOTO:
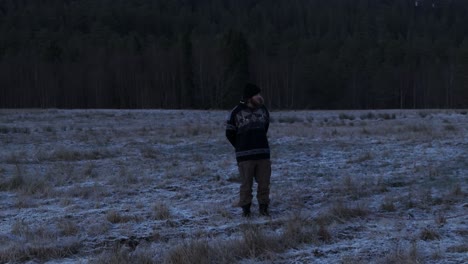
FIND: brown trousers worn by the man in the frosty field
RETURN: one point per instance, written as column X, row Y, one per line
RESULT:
column 260, row 170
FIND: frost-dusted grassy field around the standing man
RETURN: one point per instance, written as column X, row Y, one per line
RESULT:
column 155, row 186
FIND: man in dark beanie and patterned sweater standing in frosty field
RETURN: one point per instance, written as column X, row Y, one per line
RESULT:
column 247, row 129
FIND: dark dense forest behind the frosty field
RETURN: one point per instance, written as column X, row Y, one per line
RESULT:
column 198, row 53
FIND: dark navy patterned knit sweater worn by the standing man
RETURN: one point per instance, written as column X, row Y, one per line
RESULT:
column 246, row 129
